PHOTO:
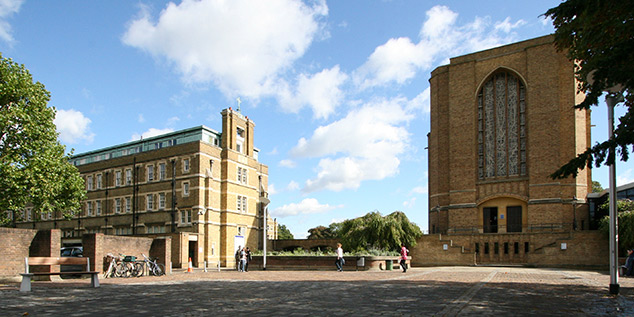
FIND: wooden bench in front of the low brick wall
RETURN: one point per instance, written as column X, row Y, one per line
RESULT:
column 26, row 277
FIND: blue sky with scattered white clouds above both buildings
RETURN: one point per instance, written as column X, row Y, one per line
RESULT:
column 338, row 90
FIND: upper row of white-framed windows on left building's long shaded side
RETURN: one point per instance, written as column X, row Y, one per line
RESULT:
column 97, row 181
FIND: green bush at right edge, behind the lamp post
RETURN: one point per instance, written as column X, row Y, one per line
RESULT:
column 625, row 209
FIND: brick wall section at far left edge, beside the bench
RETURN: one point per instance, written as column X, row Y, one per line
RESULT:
column 14, row 247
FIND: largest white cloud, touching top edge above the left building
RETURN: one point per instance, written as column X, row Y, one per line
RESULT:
column 242, row 46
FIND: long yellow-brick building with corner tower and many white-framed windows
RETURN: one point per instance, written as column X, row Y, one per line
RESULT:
column 206, row 187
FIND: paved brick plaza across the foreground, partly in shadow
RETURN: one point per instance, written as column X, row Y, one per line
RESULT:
column 434, row 291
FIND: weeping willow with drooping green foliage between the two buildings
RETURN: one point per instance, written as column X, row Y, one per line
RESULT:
column 374, row 231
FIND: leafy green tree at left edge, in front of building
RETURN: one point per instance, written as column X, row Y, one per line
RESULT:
column 33, row 167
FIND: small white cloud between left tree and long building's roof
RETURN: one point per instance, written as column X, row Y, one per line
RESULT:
column 73, row 126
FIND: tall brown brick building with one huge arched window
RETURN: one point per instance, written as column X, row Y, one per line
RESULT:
column 502, row 121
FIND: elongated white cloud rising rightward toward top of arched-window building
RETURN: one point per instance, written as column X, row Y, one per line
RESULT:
column 399, row 59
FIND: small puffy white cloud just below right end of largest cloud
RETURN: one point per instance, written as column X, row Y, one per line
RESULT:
column 320, row 91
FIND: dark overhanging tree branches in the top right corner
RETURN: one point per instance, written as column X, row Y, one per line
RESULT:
column 598, row 35
